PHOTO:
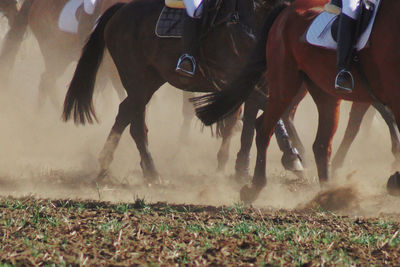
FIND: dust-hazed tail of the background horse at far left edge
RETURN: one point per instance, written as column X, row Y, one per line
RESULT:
column 13, row 39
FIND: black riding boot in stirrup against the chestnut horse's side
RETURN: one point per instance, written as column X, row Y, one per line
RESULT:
column 344, row 79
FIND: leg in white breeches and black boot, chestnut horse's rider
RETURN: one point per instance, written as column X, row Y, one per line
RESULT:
column 346, row 36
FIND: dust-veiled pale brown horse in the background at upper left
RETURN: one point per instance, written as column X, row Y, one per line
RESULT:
column 59, row 49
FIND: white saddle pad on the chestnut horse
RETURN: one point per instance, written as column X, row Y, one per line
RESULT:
column 324, row 28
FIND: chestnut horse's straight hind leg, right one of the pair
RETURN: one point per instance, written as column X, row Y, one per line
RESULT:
column 328, row 111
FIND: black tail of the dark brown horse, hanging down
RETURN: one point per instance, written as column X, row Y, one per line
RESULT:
column 79, row 98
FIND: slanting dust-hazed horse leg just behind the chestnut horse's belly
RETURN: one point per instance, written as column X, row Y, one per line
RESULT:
column 357, row 113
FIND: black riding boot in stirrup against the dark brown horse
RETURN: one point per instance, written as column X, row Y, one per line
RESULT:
column 190, row 39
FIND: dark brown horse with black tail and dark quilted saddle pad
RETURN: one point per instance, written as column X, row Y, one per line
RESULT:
column 145, row 62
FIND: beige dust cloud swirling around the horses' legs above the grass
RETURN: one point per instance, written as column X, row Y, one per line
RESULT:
column 41, row 155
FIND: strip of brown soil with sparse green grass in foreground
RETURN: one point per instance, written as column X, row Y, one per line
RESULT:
column 67, row 232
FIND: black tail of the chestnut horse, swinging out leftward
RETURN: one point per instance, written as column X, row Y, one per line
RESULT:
column 213, row 107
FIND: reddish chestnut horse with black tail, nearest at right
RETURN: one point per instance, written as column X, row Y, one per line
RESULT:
column 292, row 63
